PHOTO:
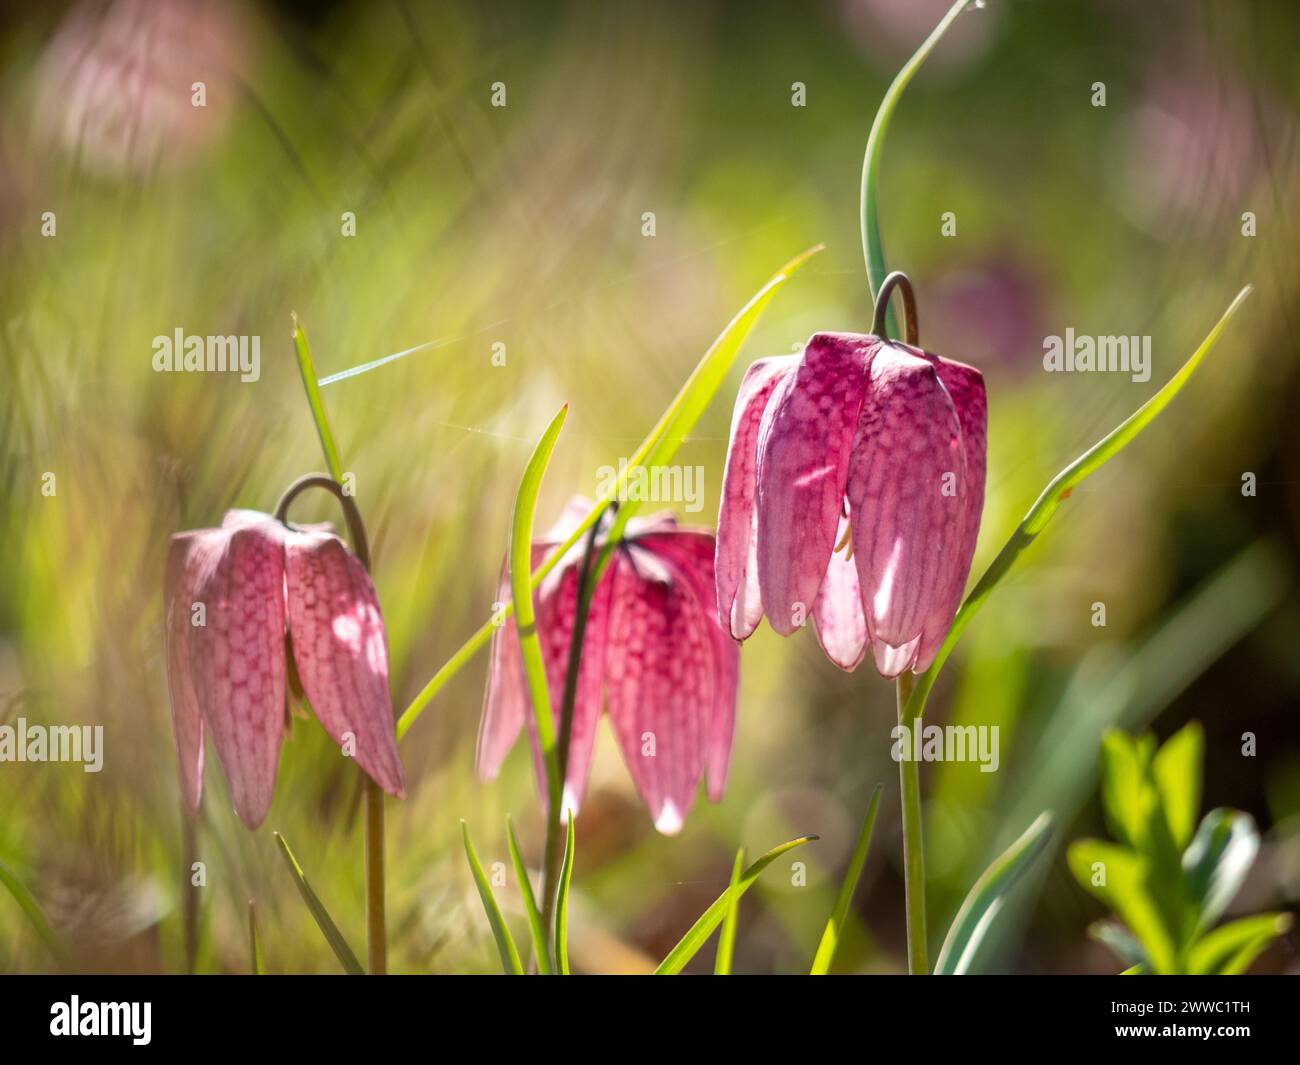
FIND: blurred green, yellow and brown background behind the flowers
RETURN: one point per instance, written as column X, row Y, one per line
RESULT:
column 523, row 227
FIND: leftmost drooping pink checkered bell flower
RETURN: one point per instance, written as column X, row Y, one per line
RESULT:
column 239, row 601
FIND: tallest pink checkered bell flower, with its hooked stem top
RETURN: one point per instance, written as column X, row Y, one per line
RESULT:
column 852, row 496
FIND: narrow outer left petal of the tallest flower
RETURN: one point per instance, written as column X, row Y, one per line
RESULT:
column 739, row 604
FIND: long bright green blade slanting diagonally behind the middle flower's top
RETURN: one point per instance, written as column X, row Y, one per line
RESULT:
column 658, row 448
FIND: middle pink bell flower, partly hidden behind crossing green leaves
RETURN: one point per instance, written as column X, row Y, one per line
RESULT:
column 653, row 655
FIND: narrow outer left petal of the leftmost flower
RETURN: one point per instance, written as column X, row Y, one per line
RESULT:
column 187, row 555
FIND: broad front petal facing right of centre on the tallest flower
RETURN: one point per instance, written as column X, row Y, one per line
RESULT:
column 907, row 487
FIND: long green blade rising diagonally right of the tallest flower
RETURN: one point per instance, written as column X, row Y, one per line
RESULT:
column 1056, row 493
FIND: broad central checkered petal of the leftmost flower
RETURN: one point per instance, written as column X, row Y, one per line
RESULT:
column 237, row 660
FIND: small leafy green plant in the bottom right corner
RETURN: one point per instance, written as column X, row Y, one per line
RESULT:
column 1167, row 878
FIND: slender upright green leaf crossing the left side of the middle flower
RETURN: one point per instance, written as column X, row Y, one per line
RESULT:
column 521, row 591
